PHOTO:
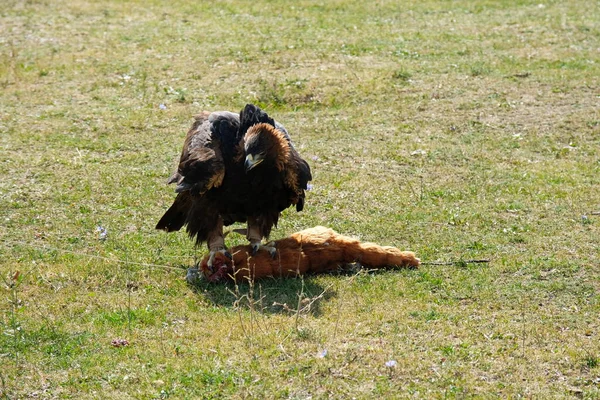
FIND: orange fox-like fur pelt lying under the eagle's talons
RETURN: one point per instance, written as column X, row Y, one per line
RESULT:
column 310, row 251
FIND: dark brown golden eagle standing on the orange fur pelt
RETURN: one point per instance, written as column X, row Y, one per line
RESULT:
column 235, row 168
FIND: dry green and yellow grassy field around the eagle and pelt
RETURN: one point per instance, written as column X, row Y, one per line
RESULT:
column 457, row 129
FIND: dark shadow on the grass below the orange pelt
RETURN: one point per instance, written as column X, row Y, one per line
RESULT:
column 268, row 296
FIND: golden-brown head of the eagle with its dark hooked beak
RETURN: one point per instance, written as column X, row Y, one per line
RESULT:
column 263, row 143
